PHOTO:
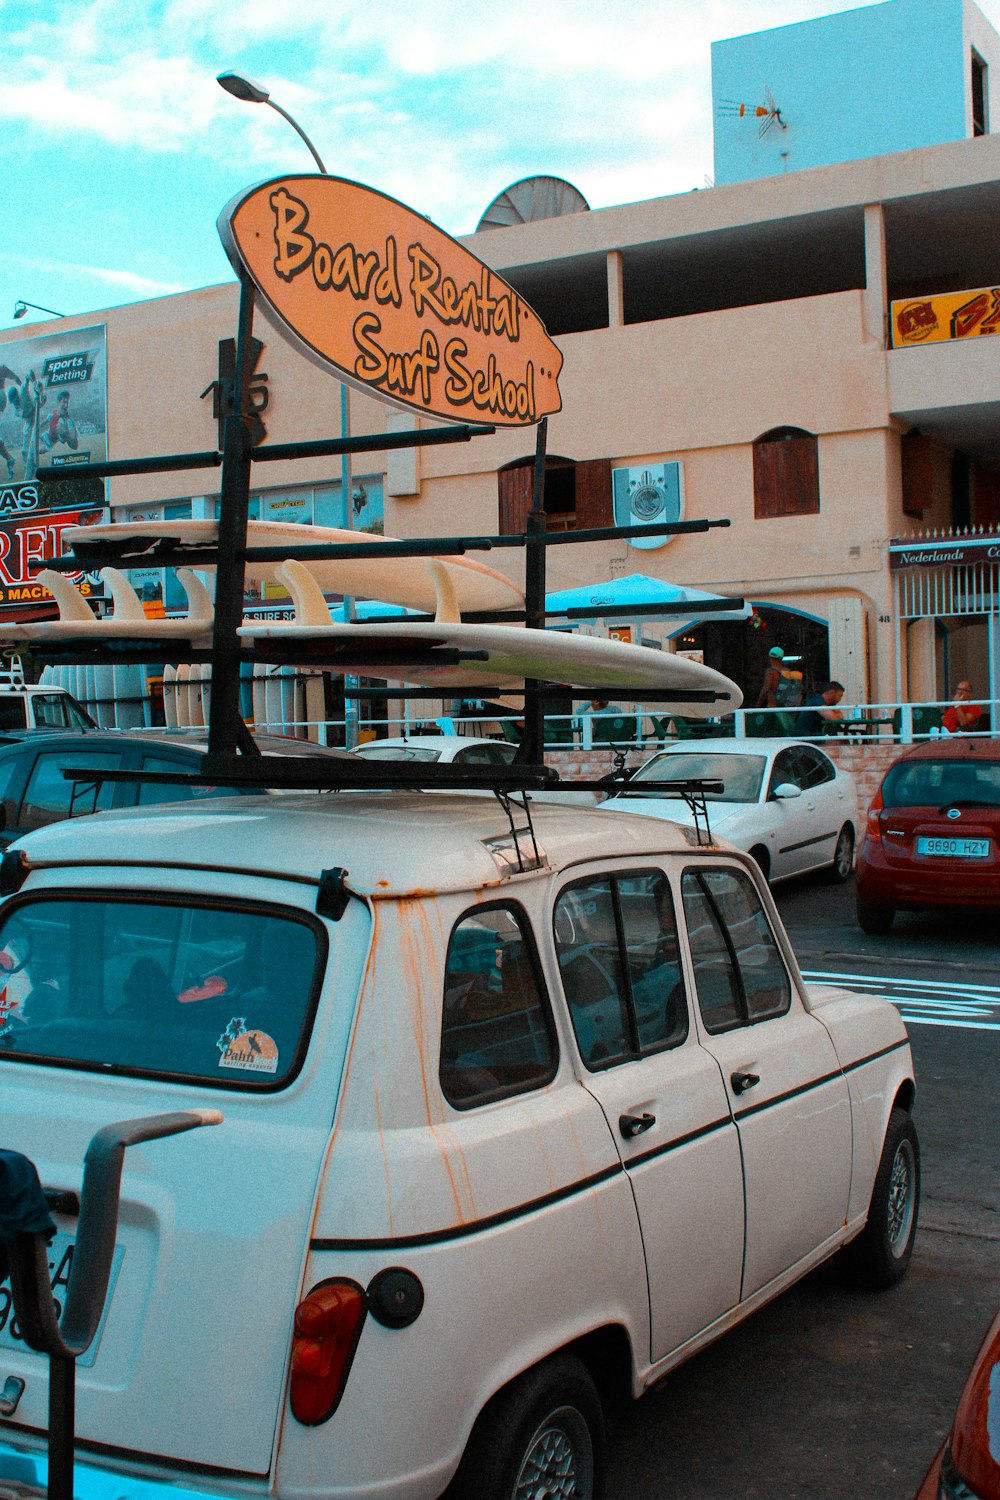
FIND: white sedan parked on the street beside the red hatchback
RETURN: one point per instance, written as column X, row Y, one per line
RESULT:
column 783, row 802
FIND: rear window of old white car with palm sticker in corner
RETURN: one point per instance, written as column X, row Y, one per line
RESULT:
column 218, row 994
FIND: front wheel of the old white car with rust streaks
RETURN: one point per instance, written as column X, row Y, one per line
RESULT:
column 879, row 1258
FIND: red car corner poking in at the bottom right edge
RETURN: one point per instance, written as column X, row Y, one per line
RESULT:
column 968, row 1465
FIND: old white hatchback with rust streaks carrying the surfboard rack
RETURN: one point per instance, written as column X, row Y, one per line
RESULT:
column 509, row 1117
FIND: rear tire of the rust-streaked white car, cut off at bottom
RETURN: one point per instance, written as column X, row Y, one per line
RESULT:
column 542, row 1435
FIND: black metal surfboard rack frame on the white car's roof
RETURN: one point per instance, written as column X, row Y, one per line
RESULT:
column 232, row 757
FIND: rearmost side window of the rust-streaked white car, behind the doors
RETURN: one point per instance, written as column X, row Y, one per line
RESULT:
column 497, row 1034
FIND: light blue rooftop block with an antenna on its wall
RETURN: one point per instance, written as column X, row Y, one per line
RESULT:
column 861, row 83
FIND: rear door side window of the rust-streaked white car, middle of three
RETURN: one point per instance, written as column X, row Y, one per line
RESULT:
column 618, row 952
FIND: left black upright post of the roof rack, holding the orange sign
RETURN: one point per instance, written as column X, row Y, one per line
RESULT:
column 235, row 500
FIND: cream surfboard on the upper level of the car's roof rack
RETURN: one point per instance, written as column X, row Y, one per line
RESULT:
column 392, row 580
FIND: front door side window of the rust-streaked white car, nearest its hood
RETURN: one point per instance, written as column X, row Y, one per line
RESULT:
column 738, row 970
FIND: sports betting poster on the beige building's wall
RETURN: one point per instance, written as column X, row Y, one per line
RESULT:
column 53, row 404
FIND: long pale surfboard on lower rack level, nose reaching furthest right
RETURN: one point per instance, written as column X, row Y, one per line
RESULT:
column 510, row 655
